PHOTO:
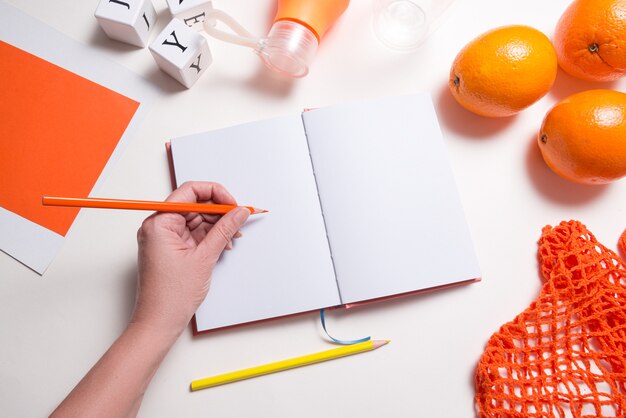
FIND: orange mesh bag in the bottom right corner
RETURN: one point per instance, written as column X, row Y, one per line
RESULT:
column 565, row 355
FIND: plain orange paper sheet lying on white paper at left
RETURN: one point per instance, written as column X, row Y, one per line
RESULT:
column 57, row 132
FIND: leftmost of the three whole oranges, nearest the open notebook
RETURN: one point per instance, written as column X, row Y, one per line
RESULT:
column 503, row 71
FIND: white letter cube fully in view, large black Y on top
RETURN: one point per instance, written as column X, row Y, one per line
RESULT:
column 181, row 52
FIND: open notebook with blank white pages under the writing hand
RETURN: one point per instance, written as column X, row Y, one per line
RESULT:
column 362, row 205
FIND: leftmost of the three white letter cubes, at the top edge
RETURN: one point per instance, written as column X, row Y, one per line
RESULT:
column 128, row 21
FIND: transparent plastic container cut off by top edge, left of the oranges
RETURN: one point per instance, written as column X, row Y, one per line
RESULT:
column 403, row 25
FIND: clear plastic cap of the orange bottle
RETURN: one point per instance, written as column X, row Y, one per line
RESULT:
column 289, row 48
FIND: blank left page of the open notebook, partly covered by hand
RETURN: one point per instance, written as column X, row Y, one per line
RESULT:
column 281, row 265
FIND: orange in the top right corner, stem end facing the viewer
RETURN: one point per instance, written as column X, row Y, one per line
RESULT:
column 590, row 39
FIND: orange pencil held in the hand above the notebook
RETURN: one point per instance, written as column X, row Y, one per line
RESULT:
column 93, row 202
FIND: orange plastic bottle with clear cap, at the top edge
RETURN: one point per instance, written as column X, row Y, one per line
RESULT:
column 294, row 37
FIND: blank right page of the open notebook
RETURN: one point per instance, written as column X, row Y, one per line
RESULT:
column 393, row 216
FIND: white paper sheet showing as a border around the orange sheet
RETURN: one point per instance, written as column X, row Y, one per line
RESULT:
column 26, row 241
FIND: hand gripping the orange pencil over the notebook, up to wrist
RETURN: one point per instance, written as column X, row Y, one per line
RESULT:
column 177, row 254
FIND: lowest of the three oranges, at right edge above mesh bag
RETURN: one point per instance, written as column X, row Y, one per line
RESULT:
column 583, row 137
